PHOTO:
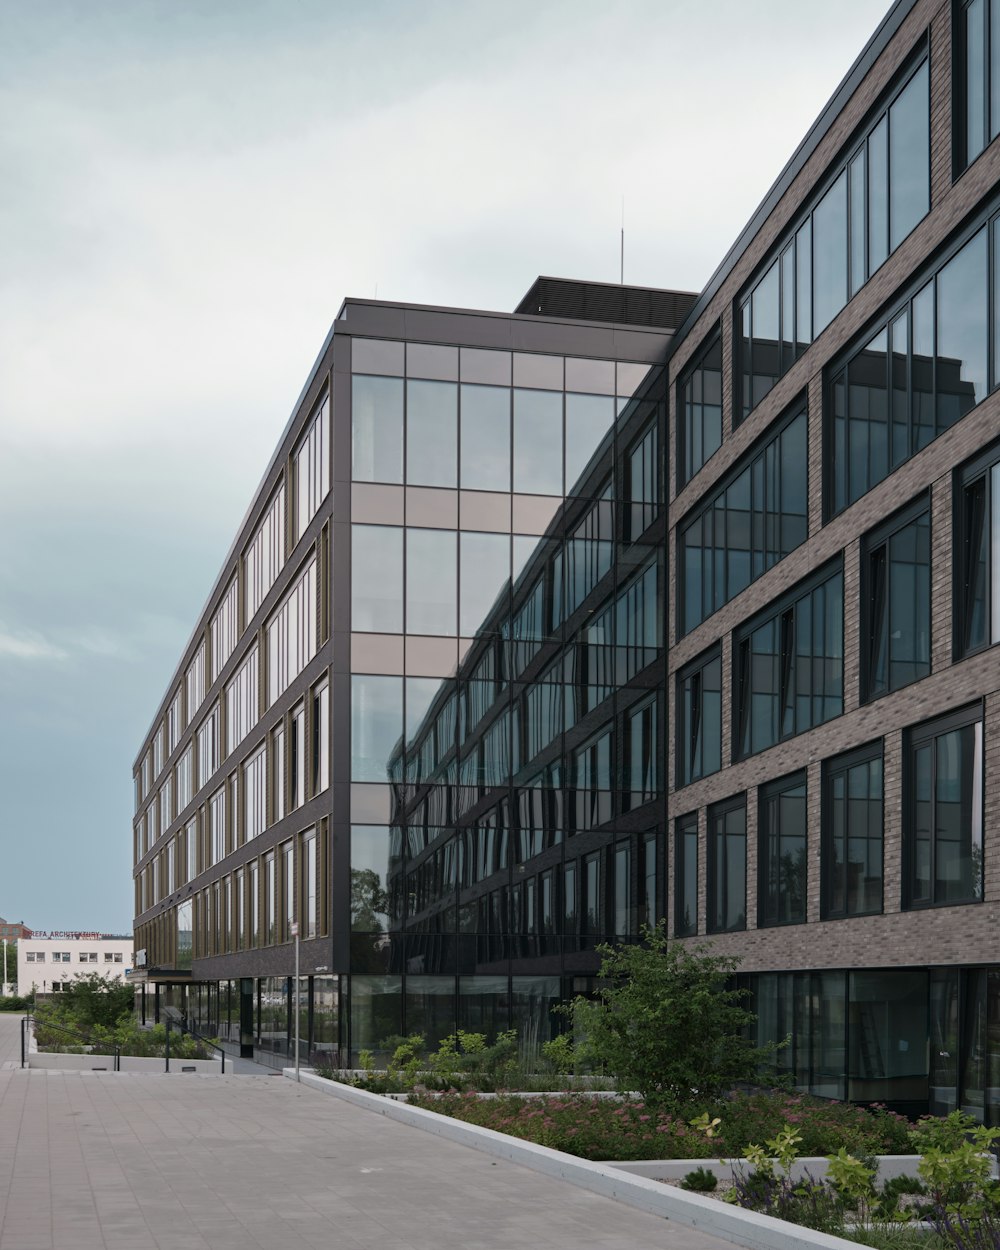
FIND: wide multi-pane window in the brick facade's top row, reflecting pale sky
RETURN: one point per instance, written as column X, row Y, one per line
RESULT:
column 877, row 199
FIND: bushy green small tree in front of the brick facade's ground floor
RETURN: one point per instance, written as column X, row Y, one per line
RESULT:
column 668, row 1023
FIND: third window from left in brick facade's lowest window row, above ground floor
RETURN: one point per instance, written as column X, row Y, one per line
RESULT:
column 782, row 864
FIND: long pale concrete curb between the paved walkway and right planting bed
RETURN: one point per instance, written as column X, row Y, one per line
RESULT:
column 708, row 1216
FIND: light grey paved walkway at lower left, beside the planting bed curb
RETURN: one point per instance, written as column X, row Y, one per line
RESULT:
column 121, row 1162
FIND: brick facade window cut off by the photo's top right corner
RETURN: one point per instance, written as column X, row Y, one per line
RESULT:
column 978, row 72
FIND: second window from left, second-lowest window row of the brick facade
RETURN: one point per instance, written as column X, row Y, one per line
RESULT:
column 791, row 666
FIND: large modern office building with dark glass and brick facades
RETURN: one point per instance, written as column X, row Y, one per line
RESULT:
column 632, row 606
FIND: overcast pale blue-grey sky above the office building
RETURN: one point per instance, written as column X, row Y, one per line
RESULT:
column 188, row 191
